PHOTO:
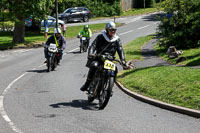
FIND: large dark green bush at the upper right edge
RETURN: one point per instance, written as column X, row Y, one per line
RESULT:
column 181, row 26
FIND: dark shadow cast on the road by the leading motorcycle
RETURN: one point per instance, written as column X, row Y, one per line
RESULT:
column 76, row 104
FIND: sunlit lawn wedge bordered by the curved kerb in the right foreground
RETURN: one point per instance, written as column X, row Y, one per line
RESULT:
column 174, row 85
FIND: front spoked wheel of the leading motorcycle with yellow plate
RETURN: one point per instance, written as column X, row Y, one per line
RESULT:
column 105, row 92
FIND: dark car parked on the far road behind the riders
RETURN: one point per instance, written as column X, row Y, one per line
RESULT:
column 75, row 14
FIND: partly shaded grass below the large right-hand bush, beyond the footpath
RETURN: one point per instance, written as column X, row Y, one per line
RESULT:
column 192, row 56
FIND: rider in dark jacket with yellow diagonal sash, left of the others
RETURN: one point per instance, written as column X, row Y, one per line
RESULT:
column 57, row 39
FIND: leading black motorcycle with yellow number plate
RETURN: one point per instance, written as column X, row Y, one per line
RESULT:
column 103, row 81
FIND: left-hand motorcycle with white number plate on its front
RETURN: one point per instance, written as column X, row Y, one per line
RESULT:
column 53, row 57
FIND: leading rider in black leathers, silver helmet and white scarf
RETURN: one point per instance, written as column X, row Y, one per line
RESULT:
column 106, row 42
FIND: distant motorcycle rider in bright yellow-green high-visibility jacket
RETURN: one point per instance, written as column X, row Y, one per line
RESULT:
column 87, row 33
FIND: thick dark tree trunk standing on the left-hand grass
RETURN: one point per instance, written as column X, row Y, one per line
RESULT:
column 19, row 33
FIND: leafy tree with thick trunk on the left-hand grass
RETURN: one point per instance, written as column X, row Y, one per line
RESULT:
column 21, row 9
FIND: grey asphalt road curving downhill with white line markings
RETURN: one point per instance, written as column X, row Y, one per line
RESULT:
column 34, row 101
